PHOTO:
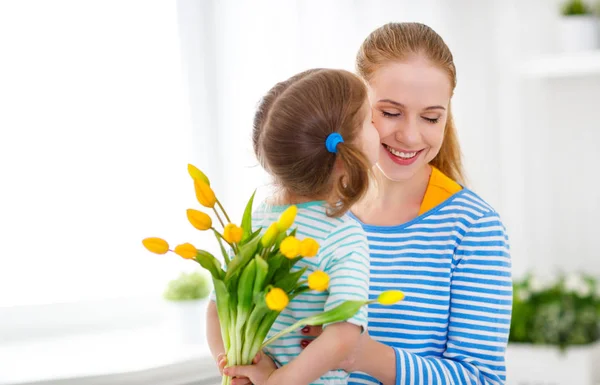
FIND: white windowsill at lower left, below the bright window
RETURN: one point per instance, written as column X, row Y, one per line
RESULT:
column 151, row 354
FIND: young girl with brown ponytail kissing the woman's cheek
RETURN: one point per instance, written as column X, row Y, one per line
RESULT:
column 313, row 134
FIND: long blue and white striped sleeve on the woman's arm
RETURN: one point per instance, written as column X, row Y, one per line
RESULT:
column 480, row 312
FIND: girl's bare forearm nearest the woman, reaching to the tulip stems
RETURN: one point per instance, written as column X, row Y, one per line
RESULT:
column 322, row 355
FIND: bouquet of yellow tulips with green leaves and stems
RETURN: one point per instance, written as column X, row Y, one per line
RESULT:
column 259, row 278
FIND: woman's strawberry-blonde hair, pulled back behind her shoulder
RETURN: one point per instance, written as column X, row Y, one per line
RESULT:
column 399, row 41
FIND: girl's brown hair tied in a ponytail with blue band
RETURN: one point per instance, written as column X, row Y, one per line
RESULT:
column 291, row 125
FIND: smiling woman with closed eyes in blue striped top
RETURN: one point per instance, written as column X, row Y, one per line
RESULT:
column 428, row 235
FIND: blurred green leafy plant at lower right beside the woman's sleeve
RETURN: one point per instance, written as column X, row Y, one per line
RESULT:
column 562, row 312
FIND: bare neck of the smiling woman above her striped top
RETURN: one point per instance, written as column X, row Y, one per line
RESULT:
column 390, row 202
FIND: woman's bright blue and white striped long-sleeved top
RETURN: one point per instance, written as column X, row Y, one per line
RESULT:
column 453, row 264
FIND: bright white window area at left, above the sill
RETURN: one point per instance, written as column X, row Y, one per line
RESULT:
column 94, row 141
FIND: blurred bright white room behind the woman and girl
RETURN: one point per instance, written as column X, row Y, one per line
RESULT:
column 103, row 104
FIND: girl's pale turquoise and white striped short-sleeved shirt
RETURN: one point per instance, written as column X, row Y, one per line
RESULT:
column 343, row 255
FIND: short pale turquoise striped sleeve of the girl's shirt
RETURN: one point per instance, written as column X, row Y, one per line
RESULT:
column 346, row 262
